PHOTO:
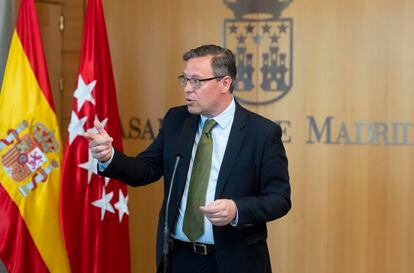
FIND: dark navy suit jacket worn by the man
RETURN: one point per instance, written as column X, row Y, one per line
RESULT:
column 254, row 173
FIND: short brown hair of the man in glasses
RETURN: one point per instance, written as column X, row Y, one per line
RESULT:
column 222, row 63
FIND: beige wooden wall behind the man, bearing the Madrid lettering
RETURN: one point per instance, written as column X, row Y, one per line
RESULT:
column 353, row 60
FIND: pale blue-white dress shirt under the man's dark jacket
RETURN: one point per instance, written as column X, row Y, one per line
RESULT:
column 220, row 134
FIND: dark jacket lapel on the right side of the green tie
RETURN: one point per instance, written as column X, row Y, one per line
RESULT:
column 234, row 144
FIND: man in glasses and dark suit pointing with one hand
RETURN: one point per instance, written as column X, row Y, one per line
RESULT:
column 232, row 179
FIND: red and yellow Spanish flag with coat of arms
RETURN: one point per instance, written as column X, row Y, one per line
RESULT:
column 30, row 157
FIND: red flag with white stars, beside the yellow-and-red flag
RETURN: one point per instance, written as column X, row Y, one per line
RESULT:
column 94, row 209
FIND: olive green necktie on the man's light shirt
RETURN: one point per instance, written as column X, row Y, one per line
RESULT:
column 193, row 225
